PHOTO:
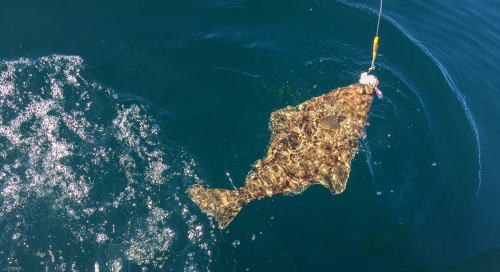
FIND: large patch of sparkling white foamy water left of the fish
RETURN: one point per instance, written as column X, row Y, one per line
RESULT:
column 96, row 172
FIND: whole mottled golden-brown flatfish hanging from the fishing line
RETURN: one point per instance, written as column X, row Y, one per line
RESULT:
column 312, row 143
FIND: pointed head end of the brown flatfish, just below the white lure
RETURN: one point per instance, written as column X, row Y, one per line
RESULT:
column 359, row 98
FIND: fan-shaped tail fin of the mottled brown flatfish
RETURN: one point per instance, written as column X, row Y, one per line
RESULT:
column 221, row 204
